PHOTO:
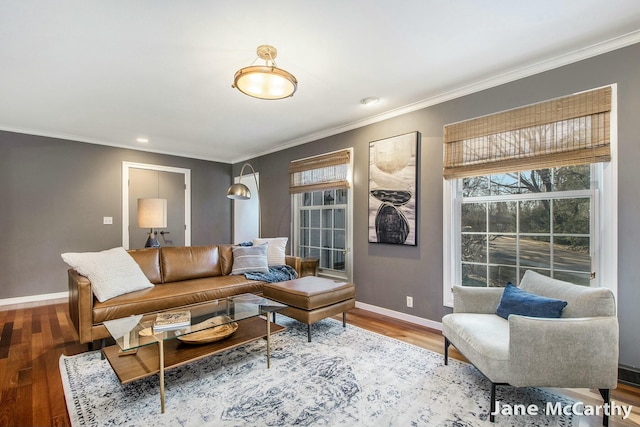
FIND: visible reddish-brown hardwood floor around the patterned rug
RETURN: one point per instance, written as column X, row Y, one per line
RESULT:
column 34, row 336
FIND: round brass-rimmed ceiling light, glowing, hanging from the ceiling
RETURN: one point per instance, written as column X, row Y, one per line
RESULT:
column 265, row 81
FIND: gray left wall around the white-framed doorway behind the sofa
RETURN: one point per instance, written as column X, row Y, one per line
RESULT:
column 54, row 194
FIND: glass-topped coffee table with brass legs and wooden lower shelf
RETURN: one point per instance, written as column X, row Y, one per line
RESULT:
column 253, row 324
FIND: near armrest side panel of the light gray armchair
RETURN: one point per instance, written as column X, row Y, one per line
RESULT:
column 566, row 352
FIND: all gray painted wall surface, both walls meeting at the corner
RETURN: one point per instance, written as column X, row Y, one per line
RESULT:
column 54, row 194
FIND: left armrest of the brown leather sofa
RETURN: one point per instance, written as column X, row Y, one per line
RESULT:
column 81, row 305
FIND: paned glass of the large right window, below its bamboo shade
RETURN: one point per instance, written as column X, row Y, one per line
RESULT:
column 538, row 220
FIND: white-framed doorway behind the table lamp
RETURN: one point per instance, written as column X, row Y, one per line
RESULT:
column 141, row 180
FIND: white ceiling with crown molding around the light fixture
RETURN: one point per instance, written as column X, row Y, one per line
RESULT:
column 109, row 72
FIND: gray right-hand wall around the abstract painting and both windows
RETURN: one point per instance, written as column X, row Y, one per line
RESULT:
column 385, row 274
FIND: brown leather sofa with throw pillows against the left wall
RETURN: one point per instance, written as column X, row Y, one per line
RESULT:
column 184, row 276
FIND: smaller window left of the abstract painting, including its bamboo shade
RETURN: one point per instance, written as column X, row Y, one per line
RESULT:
column 321, row 211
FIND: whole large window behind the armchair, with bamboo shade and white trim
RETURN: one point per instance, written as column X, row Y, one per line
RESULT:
column 533, row 188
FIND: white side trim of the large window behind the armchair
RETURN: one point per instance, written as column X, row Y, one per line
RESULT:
column 605, row 199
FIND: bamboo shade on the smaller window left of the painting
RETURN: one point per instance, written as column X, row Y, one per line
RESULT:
column 324, row 172
